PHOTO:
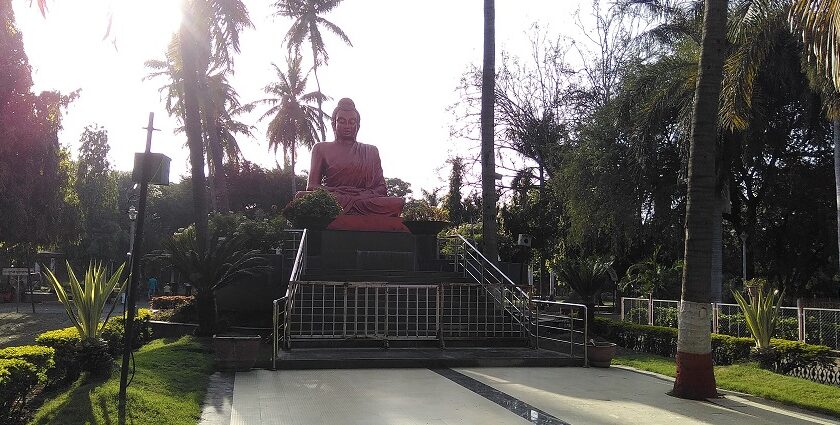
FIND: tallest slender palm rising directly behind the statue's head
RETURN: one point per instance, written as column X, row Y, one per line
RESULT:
column 308, row 20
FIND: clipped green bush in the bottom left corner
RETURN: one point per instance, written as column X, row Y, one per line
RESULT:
column 17, row 380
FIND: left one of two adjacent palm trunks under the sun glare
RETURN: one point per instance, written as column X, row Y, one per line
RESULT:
column 192, row 123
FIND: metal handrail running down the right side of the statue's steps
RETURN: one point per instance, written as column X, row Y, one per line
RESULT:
column 552, row 324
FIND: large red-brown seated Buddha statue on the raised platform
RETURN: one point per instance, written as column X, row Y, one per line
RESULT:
column 352, row 171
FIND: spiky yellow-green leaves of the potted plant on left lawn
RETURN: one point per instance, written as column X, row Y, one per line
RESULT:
column 88, row 302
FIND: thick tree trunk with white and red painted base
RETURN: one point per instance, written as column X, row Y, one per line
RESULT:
column 695, row 377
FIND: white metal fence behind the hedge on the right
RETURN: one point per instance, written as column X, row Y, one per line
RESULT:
column 811, row 325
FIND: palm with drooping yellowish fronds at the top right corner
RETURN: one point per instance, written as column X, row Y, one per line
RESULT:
column 817, row 21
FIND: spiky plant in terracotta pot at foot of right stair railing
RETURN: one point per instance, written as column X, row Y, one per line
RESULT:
column 586, row 276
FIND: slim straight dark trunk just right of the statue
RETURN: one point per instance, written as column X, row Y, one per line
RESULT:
column 488, row 158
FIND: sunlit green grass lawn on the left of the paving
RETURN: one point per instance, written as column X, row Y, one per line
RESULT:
column 168, row 388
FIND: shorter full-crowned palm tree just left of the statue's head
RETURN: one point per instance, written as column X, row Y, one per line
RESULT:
column 294, row 121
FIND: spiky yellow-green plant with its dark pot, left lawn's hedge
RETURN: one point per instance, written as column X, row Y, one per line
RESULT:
column 85, row 309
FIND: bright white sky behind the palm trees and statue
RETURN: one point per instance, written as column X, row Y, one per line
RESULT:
column 402, row 71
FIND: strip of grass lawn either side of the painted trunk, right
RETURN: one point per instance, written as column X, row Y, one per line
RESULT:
column 749, row 378
